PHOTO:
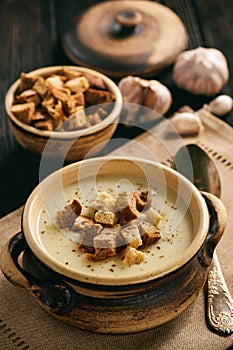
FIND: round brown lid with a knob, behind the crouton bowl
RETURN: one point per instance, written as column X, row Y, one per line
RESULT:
column 127, row 37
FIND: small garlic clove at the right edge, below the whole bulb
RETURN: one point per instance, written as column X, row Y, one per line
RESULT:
column 221, row 105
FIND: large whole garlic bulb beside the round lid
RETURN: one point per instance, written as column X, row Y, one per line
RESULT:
column 201, row 71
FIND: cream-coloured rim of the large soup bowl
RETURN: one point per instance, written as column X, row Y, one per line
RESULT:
column 80, row 276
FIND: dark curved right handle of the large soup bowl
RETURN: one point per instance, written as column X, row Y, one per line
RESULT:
column 217, row 225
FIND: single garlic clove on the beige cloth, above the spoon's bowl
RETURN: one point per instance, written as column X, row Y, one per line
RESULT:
column 186, row 123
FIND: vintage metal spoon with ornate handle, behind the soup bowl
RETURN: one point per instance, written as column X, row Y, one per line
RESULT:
column 194, row 163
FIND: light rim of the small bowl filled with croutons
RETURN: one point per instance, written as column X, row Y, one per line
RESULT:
column 111, row 118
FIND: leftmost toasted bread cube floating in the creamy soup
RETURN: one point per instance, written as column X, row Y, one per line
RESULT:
column 67, row 216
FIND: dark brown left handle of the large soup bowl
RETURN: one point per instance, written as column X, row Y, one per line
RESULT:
column 54, row 295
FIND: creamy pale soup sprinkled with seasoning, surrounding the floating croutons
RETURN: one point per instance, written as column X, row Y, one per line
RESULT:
column 176, row 226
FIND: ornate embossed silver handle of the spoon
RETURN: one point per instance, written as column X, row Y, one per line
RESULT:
column 220, row 302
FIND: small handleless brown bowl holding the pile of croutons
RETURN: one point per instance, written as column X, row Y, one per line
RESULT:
column 69, row 145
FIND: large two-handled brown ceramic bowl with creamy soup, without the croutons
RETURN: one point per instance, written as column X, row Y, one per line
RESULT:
column 112, row 296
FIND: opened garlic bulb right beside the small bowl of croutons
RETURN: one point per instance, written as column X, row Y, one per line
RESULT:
column 148, row 93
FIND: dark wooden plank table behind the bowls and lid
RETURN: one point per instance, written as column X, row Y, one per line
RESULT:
column 31, row 37
